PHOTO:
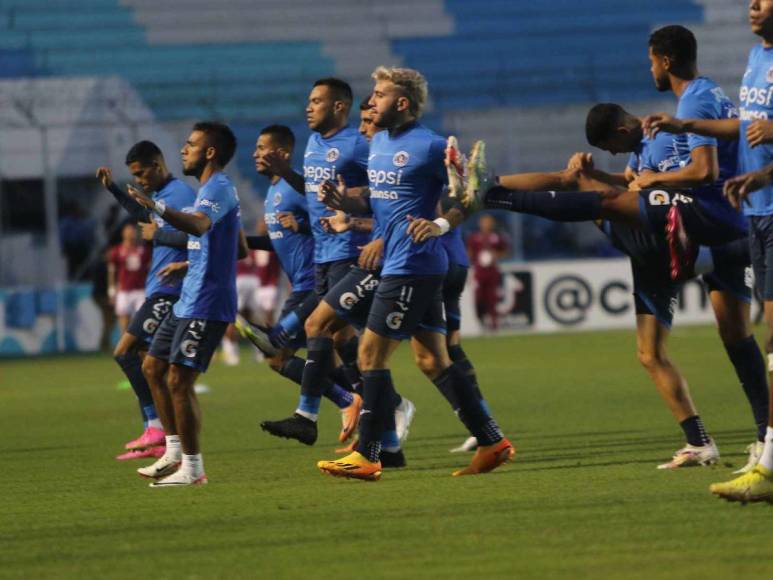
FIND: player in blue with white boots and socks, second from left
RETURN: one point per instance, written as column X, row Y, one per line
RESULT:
column 187, row 338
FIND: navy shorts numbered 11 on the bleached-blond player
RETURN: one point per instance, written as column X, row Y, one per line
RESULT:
column 404, row 305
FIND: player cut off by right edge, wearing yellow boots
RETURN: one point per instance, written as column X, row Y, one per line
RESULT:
column 753, row 192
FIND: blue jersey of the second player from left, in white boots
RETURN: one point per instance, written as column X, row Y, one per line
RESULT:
column 209, row 287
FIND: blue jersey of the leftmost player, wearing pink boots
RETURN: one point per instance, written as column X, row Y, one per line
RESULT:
column 180, row 196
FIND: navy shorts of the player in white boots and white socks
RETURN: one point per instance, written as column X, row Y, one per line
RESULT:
column 187, row 342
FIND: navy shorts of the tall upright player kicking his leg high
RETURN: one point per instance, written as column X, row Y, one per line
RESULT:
column 707, row 222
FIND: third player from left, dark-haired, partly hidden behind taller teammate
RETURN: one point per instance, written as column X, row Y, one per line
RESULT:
column 287, row 219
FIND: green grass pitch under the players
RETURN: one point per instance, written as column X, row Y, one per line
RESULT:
column 581, row 499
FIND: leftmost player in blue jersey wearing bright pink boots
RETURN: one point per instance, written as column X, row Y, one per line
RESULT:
column 146, row 164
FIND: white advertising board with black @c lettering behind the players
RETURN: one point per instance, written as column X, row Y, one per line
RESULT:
column 575, row 295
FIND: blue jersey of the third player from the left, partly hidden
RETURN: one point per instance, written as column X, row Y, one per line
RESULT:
column 294, row 249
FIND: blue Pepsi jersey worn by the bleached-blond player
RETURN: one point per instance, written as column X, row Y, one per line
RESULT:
column 407, row 175
